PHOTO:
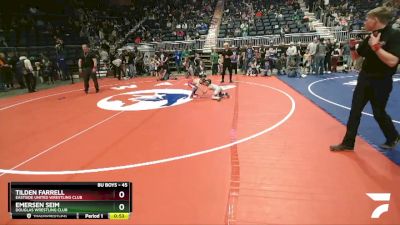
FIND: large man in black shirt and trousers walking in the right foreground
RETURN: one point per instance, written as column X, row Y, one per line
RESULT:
column 381, row 50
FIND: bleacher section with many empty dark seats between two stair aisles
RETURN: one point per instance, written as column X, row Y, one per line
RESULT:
column 262, row 19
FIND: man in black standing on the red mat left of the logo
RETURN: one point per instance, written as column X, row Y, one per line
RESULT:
column 87, row 67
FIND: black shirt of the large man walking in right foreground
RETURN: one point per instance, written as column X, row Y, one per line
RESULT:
column 372, row 66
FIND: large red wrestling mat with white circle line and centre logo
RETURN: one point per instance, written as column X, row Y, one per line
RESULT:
column 260, row 157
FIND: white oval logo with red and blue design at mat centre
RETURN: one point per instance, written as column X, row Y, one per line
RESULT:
column 145, row 100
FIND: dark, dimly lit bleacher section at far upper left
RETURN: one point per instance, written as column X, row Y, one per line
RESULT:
column 35, row 23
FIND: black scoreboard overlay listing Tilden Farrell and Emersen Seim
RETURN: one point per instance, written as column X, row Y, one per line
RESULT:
column 70, row 200
